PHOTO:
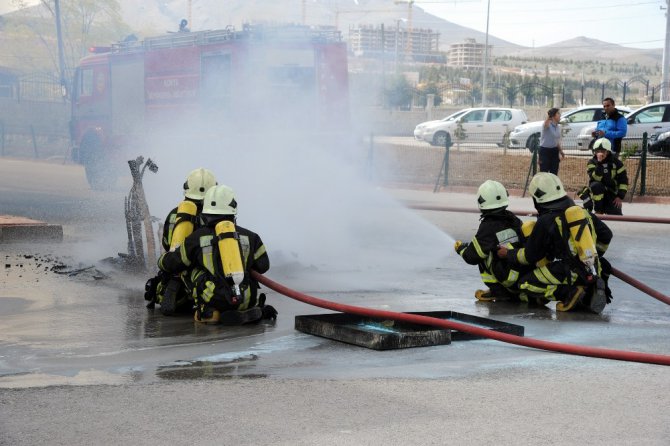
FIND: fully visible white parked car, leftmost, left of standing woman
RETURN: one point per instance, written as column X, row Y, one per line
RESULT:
column 488, row 125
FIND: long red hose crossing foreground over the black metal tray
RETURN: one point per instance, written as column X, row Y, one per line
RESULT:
column 580, row 350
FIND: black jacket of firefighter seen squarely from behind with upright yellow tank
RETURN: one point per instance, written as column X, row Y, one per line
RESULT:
column 199, row 254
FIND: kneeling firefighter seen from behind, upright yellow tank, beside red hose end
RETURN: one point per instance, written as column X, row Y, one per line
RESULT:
column 219, row 256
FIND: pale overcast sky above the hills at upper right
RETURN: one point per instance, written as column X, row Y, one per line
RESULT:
column 633, row 23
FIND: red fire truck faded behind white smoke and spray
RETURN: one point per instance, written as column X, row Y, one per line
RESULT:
column 213, row 83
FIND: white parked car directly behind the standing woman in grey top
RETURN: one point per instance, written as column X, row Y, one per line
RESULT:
column 572, row 122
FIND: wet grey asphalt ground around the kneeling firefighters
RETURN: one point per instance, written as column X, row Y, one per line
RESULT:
column 69, row 318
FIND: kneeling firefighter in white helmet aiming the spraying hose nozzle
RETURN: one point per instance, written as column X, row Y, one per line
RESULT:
column 498, row 227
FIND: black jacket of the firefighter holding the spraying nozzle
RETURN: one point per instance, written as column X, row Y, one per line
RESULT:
column 496, row 228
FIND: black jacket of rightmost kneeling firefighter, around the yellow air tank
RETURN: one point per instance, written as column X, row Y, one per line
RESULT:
column 548, row 239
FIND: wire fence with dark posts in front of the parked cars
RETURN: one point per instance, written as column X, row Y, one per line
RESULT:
column 403, row 160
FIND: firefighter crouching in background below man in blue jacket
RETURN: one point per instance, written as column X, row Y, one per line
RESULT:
column 608, row 180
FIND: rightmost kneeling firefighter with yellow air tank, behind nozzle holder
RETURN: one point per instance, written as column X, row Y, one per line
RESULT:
column 568, row 242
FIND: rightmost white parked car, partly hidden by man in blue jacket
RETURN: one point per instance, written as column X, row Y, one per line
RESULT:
column 650, row 118
